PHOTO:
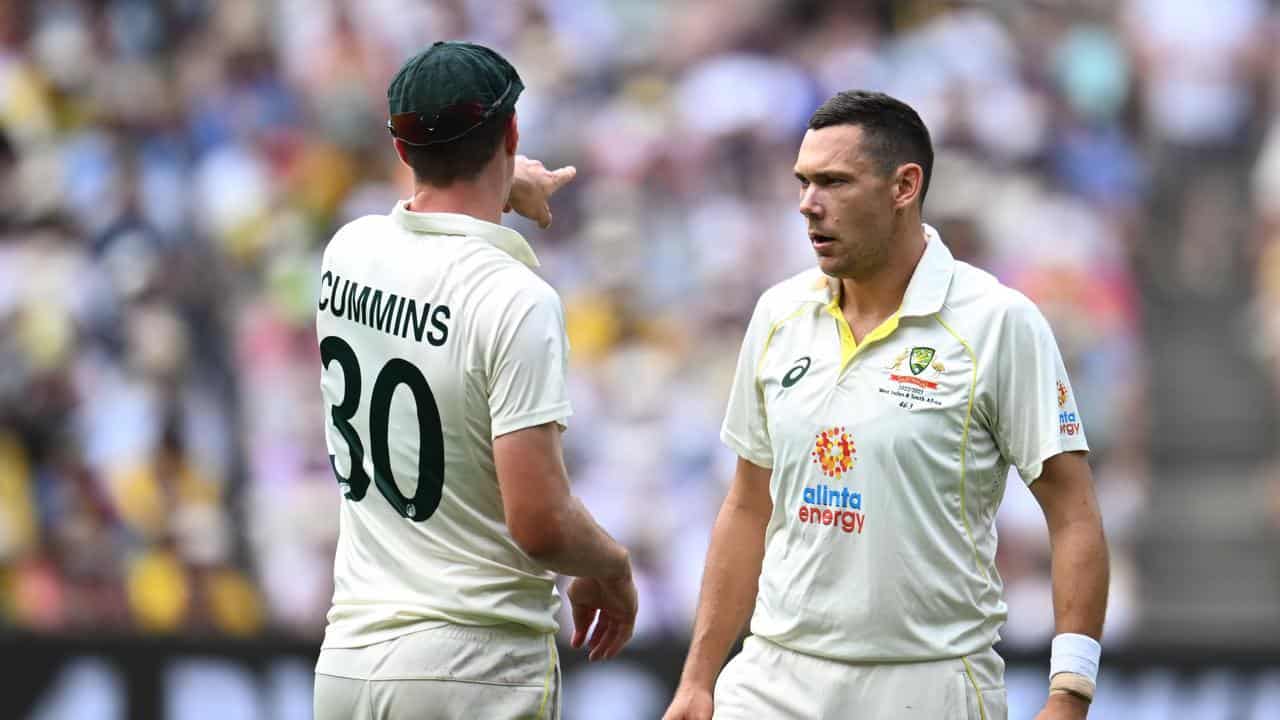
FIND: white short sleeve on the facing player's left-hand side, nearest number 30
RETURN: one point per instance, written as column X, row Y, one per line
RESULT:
column 746, row 430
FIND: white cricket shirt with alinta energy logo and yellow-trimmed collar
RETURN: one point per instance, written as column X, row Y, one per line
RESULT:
column 890, row 458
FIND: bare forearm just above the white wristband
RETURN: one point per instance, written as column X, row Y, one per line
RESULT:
column 1081, row 578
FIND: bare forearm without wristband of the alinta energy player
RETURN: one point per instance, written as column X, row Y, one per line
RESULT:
column 730, row 584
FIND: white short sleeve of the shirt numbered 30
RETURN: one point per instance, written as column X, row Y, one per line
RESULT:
column 529, row 364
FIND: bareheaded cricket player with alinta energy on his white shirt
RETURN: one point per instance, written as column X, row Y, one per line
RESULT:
column 879, row 404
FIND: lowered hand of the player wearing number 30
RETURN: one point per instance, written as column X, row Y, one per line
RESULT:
column 612, row 605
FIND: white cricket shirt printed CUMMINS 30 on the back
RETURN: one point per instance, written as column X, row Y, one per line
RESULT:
column 436, row 338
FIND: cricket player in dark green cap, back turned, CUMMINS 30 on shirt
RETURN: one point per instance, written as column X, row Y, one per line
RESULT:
column 444, row 376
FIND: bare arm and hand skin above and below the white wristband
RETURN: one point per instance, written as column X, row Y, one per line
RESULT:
column 1081, row 566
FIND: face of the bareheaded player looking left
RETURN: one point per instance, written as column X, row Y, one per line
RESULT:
column 848, row 200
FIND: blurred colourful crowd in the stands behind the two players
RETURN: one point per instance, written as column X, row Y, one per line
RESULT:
column 171, row 171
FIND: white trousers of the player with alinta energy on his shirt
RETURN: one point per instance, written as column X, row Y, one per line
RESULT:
column 769, row 681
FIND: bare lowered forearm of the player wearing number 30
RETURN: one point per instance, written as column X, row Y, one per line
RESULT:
column 580, row 548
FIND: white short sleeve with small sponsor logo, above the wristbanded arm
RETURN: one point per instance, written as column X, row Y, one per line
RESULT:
column 1036, row 412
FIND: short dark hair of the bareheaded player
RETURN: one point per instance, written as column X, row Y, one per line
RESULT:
column 893, row 131
